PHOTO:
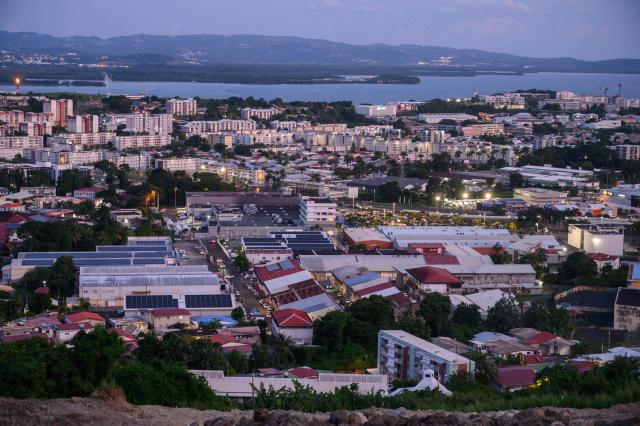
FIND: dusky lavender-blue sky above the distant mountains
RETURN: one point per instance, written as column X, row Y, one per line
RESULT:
column 584, row 29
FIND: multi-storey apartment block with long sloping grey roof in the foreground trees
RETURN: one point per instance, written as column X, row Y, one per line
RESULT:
column 406, row 357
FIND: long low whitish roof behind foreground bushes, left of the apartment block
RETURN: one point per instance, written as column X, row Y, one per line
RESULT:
column 243, row 386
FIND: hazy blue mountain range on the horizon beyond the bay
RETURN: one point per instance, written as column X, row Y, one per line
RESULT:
column 258, row 49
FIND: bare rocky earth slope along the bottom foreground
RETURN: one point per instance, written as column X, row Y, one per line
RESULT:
column 109, row 408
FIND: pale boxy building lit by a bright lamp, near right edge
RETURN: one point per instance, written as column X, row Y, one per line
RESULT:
column 592, row 238
